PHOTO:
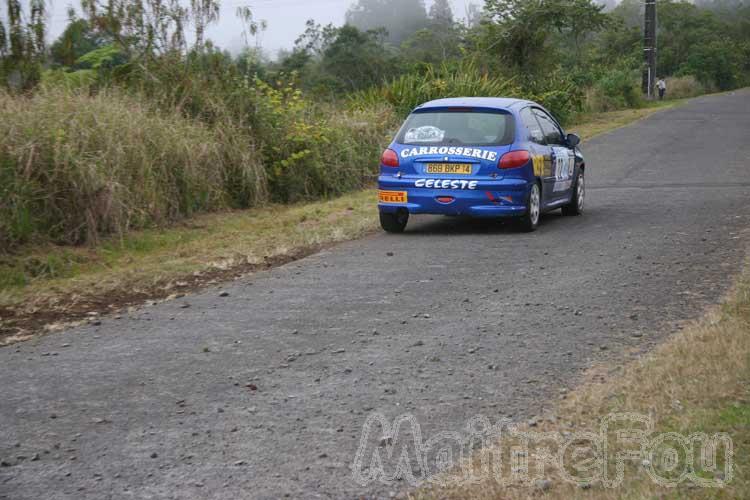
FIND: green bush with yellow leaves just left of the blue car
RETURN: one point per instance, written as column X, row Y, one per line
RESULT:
column 313, row 149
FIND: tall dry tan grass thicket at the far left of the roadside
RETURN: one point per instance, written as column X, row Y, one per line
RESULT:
column 74, row 166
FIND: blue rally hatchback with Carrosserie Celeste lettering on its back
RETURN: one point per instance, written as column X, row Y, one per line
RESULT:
column 481, row 157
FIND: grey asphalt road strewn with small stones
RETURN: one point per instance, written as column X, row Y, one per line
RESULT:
column 450, row 320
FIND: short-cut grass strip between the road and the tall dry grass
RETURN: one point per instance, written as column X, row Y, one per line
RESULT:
column 206, row 241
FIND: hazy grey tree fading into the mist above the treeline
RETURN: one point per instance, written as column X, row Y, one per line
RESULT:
column 400, row 18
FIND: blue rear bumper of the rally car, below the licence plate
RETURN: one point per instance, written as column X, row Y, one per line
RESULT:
column 497, row 198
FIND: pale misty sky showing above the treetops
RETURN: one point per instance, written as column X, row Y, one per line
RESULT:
column 286, row 19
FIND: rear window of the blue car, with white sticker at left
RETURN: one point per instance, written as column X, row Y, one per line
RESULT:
column 459, row 127
